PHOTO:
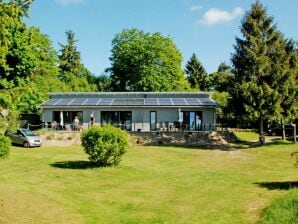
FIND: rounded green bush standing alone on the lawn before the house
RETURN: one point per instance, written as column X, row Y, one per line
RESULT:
column 104, row 145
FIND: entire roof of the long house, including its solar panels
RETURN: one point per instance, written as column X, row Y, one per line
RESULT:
column 129, row 99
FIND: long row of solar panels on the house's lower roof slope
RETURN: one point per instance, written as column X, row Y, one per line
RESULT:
column 129, row 102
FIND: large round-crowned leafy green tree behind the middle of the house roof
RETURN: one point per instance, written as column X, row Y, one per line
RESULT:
column 145, row 62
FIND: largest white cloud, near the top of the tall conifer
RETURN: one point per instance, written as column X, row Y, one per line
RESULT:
column 214, row 15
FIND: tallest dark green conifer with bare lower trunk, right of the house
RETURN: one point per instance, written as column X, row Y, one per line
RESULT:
column 260, row 69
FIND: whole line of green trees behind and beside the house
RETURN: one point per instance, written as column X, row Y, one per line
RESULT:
column 259, row 84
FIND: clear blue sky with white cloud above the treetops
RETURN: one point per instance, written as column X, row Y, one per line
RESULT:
column 205, row 27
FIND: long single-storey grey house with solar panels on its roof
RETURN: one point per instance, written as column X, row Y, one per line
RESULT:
column 133, row 111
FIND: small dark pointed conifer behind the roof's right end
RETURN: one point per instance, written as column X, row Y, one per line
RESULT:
column 196, row 74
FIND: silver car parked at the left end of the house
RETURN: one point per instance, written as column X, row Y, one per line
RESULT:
column 24, row 137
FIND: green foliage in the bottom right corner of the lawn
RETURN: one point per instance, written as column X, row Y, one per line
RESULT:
column 283, row 209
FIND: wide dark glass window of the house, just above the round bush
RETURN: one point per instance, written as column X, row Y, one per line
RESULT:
column 120, row 119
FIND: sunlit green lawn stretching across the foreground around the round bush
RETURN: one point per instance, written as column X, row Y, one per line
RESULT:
column 151, row 185
